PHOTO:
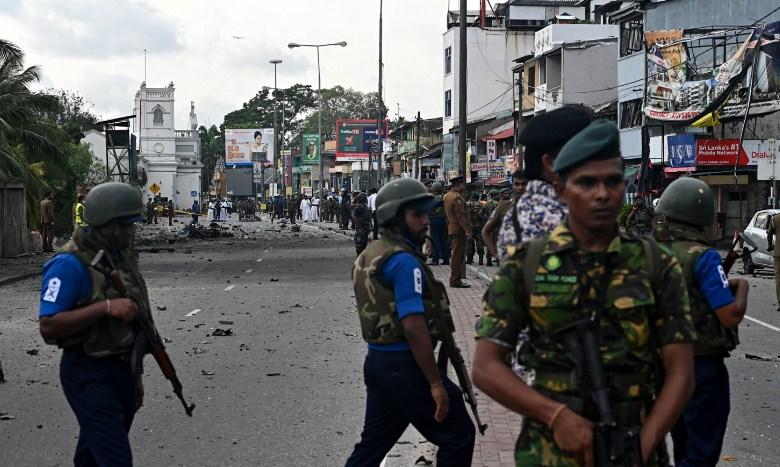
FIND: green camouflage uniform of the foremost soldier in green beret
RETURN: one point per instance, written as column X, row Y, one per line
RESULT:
column 643, row 314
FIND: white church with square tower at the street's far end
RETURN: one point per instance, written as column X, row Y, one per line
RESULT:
column 170, row 157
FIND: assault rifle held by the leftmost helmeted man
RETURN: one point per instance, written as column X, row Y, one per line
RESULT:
column 147, row 340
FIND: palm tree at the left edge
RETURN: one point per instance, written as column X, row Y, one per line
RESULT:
column 21, row 131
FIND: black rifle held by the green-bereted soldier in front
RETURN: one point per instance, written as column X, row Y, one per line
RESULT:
column 613, row 445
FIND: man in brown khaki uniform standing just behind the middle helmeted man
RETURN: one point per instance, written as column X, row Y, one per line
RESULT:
column 459, row 231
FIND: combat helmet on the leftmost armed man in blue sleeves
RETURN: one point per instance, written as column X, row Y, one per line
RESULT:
column 113, row 201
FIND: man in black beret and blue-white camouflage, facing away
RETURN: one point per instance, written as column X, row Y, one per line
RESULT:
column 539, row 210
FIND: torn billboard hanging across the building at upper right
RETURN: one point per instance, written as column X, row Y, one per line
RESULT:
column 680, row 91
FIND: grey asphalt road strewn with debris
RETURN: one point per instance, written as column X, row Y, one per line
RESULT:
column 286, row 389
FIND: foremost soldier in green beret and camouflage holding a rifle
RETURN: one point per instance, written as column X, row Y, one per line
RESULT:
column 604, row 310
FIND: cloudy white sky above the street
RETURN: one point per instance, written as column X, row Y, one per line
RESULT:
column 96, row 48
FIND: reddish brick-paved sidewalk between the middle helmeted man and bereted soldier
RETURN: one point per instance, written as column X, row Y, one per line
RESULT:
column 496, row 448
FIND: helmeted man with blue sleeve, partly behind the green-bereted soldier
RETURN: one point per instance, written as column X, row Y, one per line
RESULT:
column 688, row 206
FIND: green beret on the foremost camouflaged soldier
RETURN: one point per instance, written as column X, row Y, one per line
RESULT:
column 598, row 141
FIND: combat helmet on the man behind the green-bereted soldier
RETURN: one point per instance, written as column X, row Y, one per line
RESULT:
column 688, row 200
